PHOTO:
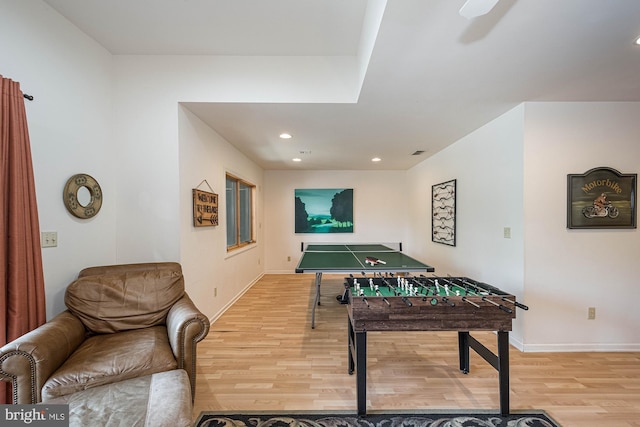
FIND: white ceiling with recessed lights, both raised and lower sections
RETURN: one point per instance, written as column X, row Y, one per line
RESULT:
column 433, row 76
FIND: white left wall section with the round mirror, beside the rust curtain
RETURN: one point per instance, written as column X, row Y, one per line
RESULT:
column 70, row 77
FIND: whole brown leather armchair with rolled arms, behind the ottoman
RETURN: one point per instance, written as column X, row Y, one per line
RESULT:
column 121, row 322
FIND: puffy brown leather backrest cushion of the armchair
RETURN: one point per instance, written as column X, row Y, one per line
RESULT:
column 117, row 298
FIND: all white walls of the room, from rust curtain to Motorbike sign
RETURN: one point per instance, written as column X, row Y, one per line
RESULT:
column 119, row 119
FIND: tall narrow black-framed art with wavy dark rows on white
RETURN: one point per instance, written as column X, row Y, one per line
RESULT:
column 443, row 213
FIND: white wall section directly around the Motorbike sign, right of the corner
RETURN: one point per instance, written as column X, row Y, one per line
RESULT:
column 566, row 270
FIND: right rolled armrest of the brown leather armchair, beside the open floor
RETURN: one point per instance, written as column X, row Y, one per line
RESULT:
column 186, row 326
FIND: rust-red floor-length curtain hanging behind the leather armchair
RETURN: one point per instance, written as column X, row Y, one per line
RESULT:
column 22, row 298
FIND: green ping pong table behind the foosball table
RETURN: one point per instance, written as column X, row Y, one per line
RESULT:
column 321, row 258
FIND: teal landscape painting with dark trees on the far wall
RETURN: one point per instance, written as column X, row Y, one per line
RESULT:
column 324, row 210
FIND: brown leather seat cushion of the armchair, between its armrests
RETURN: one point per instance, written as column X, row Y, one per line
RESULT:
column 100, row 360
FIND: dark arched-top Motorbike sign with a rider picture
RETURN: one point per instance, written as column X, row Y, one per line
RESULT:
column 601, row 198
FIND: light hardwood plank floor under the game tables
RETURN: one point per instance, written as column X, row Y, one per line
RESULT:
column 262, row 354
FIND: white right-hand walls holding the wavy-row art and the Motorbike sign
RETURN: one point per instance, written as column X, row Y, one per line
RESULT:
column 512, row 173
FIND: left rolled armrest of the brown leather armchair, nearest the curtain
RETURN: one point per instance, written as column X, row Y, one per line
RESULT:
column 29, row 360
